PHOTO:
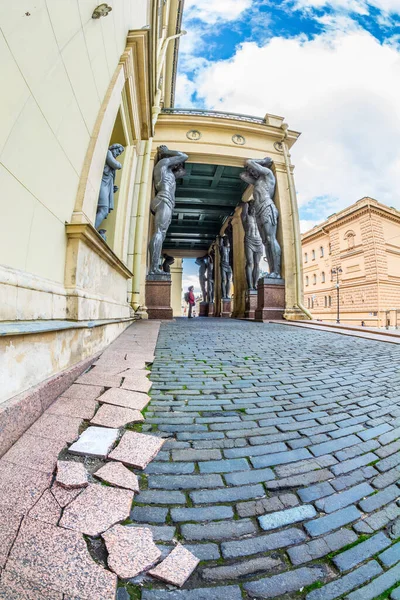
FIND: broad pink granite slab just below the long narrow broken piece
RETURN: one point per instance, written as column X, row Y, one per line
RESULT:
column 96, row 509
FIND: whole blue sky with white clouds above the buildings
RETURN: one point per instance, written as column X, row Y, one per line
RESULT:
column 330, row 67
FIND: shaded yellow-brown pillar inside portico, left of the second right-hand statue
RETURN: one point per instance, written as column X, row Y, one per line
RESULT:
column 239, row 261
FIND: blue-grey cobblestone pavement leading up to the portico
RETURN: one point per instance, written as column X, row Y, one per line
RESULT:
column 281, row 472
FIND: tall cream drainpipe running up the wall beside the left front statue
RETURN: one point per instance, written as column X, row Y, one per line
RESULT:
column 144, row 178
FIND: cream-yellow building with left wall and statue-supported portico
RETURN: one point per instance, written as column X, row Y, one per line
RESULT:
column 78, row 83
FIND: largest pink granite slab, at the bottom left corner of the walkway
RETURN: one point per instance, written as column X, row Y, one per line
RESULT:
column 60, row 561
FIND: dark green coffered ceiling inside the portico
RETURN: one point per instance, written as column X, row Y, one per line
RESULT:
column 204, row 198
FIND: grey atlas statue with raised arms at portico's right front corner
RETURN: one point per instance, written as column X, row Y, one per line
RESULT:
column 258, row 173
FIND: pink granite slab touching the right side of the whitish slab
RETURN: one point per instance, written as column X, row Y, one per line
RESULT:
column 137, row 449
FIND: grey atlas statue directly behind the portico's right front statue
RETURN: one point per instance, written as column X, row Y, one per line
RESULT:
column 253, row 246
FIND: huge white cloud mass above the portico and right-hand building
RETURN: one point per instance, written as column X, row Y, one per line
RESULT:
column 341, row 90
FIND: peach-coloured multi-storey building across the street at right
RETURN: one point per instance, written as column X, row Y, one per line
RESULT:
column 358, row 249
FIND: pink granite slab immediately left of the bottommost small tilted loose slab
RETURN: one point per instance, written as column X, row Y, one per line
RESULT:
column 131, row 550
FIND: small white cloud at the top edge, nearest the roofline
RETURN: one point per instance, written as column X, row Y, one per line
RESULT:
column 212, row 12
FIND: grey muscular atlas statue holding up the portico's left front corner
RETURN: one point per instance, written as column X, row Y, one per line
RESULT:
column 169, row 168
